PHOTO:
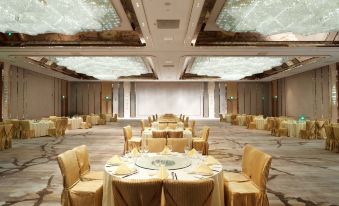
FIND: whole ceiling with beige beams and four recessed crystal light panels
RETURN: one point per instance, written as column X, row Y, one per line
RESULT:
column 172, row 37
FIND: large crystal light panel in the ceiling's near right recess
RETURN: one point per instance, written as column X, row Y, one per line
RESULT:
column 268, row 17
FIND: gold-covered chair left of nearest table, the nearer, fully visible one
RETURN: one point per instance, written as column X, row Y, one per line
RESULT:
column 75, row 191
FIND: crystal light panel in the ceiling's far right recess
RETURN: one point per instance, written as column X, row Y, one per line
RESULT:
column 233, row 68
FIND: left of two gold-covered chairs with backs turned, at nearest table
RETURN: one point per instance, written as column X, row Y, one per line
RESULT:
column 136, row 192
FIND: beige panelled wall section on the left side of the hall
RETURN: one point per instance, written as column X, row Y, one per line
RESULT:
column 33, row 95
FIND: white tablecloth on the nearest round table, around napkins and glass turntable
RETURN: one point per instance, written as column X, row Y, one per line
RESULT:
column 182, row 174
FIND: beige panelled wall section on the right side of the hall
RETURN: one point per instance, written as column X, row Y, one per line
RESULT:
column 306, row 94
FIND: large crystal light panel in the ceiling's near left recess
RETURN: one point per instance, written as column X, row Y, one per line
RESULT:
column 57, row 16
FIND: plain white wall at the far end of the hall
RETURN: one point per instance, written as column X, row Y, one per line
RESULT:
column 169, row 97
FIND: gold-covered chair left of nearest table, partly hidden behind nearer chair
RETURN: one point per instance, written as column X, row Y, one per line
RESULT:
column 84, row 165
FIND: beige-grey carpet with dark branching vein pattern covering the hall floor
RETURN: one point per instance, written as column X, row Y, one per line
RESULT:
column 302, row 172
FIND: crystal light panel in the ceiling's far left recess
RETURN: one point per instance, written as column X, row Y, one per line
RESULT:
column 104, row 68
